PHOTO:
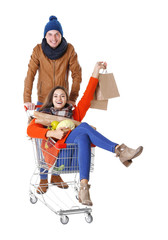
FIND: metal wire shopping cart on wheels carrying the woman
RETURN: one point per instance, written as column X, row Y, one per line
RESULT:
column 64, row 158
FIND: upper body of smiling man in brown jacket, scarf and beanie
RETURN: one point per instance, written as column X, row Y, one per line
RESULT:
column 53, row 59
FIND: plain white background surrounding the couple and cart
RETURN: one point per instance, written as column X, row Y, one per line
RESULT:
column 129, row 203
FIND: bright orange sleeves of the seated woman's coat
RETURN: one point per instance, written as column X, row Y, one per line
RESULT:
column 35, row 130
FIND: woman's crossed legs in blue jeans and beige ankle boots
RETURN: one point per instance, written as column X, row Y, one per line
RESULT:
column 84, row 135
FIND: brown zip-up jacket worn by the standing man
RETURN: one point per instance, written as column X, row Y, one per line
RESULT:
column 52, row 73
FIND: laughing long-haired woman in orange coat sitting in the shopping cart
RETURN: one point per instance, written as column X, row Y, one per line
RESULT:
column 83, row 135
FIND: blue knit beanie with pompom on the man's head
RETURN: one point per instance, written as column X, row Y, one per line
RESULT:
column 53, row 24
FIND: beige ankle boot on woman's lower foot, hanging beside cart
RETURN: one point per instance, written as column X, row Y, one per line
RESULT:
column 84, row 196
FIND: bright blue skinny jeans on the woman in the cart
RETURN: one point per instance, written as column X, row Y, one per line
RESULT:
column 83, row 136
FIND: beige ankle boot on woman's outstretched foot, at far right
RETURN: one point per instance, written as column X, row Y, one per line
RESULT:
column 126, row 154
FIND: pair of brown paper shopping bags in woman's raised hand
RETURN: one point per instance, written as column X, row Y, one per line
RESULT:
column 106, row 89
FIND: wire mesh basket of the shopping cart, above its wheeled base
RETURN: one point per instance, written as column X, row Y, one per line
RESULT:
column 58, row 158
